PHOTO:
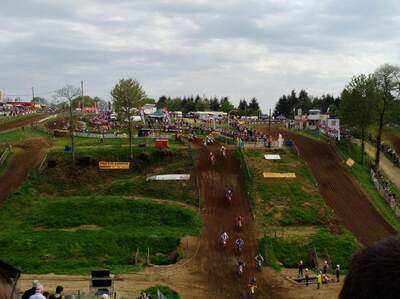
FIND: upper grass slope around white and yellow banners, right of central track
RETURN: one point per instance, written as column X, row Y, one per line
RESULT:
column 286, row 202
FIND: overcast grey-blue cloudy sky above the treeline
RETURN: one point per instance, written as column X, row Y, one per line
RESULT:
column 260, row 48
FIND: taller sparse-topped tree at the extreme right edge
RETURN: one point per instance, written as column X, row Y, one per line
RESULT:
column 388, row 84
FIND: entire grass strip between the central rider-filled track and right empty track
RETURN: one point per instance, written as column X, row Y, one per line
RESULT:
column 292, row 214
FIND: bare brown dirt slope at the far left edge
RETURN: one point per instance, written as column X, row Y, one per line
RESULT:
column 25, row 155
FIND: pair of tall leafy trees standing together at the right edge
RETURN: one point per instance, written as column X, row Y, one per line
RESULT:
column 372, row 101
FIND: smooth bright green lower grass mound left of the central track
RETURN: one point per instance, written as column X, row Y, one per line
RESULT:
column 34, row 233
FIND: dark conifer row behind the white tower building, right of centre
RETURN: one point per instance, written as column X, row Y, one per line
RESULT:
column 288, row 105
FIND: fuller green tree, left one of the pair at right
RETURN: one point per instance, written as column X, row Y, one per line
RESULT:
column 357, row 106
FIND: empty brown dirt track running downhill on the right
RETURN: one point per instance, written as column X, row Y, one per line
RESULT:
column 351, row 205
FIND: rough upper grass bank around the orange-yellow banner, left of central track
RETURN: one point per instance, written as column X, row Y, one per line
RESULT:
column 63, row 180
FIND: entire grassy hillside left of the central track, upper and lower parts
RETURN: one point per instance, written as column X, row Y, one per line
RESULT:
column 34, row 225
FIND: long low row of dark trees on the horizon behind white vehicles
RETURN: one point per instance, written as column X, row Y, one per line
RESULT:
column 189, row 104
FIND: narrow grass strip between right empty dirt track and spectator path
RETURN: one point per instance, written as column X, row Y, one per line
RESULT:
column 361, row 173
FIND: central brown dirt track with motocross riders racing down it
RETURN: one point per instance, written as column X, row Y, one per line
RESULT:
column 216, row 262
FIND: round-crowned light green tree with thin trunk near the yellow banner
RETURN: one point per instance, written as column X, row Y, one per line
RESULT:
column 127, row 95
